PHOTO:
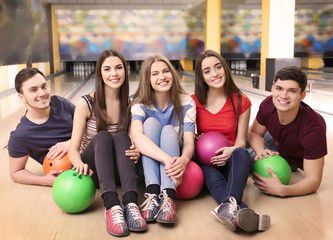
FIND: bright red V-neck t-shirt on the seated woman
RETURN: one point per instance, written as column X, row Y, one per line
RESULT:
column 224, row 120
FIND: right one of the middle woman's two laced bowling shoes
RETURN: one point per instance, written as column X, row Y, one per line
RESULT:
column 167, row 212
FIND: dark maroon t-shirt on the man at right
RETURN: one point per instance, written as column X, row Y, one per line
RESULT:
column 305, row 137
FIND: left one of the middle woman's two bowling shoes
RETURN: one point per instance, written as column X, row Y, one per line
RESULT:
column 150, row 207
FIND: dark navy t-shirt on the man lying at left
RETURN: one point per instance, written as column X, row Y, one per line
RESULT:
column 36, row 139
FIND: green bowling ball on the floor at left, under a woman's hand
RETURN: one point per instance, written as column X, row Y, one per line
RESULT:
column 72, row 192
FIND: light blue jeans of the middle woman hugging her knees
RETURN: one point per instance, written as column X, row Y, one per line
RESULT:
column 168, row 140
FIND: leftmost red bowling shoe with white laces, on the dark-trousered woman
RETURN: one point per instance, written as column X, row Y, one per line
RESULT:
column 115, row 222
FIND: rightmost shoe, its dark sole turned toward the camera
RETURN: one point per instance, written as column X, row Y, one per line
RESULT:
column 250, row 221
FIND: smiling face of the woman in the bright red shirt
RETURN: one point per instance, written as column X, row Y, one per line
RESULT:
column 213, row 72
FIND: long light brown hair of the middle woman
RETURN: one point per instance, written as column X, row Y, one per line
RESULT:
column 145, row 93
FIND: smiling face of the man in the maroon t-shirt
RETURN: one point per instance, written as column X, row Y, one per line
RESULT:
column 287, row 96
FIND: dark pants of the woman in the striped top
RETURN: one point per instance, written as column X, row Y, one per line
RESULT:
column 105, row 155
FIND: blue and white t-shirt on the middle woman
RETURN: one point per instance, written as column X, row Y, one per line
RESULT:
column 168, row 116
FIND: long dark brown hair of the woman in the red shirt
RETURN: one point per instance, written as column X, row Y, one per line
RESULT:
column 230, row 86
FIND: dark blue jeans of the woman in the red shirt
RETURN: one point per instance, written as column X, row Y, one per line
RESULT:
column 229, row 180
